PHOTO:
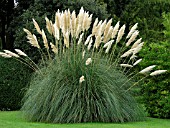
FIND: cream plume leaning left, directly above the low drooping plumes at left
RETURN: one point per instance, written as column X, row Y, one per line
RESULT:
column 32, row 38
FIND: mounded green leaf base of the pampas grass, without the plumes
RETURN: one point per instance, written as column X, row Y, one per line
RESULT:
column 57, row 95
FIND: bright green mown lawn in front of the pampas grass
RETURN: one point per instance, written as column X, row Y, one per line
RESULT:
column 13, row 120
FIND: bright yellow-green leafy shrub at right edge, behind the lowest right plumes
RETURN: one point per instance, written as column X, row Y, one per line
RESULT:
column 156, row 92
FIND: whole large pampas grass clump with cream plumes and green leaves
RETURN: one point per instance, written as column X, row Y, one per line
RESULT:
column 84, row 76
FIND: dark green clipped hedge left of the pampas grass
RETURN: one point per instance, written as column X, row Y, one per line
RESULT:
column 14, row 78
